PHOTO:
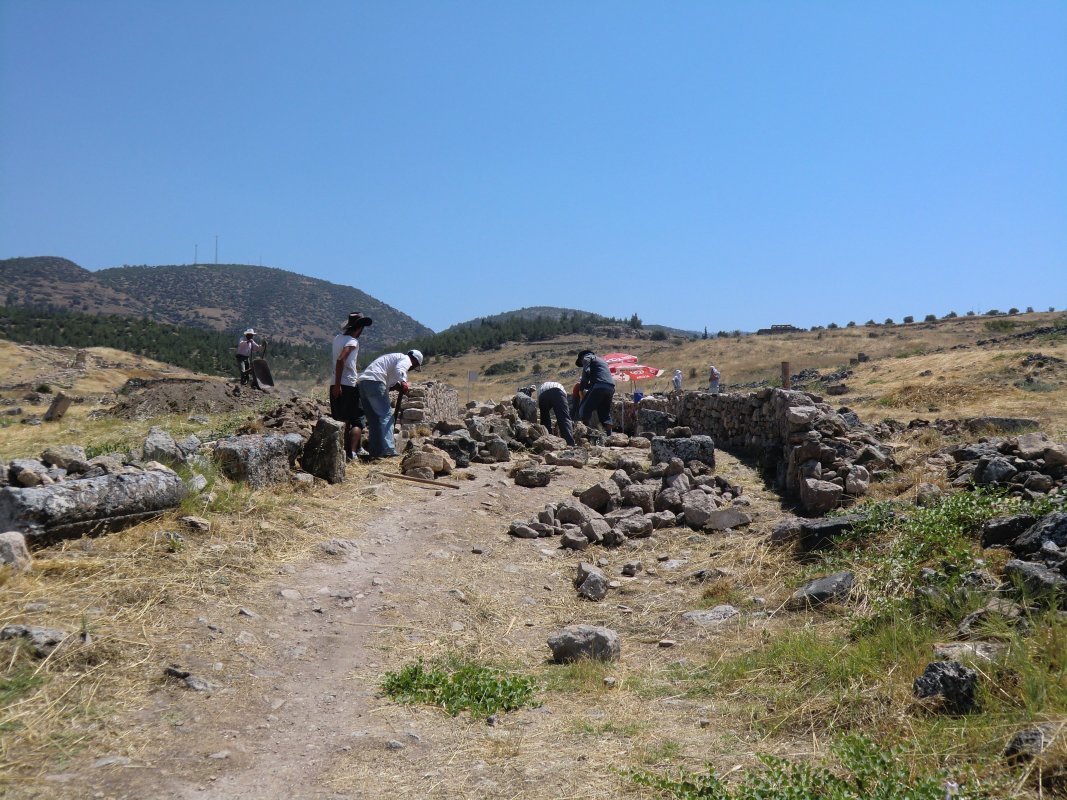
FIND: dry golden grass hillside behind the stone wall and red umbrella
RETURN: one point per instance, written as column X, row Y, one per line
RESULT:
column 966, row 382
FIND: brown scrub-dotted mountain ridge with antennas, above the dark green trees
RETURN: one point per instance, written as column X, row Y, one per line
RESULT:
column 230, row 297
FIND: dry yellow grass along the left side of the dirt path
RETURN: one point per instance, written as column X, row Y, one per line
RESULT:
column 134, row 594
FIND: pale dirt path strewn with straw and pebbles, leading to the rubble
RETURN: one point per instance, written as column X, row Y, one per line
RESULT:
column 298, row 715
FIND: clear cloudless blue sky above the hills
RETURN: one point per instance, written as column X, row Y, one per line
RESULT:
column 727, row 165
